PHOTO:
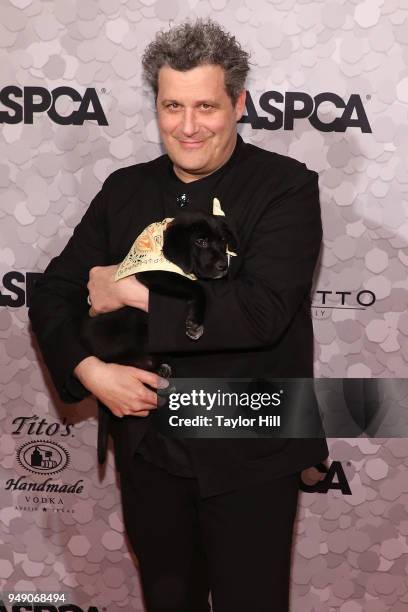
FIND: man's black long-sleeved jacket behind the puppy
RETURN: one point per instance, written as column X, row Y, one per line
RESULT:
column 258, row 320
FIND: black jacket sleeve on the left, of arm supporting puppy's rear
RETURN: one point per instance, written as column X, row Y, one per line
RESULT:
column 59, row 298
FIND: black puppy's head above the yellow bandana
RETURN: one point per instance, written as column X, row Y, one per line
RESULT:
column 197, row 243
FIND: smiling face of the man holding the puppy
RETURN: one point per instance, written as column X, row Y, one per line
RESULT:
column 197, row 119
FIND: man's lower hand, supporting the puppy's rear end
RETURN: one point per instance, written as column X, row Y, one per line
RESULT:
column 121, row 388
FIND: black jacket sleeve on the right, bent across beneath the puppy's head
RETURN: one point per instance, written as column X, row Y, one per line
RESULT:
column 254, row 308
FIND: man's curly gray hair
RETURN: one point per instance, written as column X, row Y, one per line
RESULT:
column 193, row 44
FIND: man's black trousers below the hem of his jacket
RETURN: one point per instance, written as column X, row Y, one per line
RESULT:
column 236, row 545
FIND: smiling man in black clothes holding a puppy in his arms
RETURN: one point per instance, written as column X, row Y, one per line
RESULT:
column 201, row 514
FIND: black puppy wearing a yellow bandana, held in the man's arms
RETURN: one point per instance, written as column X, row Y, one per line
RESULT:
column 197, row 243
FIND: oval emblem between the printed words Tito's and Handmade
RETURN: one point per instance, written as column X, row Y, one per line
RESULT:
column 43, row 457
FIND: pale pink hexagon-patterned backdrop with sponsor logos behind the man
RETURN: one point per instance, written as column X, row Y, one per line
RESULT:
column 328, row 86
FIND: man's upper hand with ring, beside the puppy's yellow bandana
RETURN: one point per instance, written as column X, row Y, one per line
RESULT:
column 107, row 295
